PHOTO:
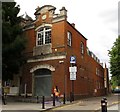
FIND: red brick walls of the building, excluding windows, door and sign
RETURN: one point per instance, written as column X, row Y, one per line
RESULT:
column 90, row 74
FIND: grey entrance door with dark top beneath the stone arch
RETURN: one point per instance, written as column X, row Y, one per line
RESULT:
column 43, row 83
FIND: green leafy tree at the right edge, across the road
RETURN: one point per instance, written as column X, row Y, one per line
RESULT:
column 115, row 62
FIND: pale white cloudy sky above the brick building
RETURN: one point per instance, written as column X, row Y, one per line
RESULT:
column 97, row 20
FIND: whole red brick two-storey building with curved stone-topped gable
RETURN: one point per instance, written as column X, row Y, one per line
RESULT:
column 52, row 40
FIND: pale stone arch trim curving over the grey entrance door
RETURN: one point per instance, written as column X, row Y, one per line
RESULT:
column 47, row 66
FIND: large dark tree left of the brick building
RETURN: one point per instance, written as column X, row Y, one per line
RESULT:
column 13, row 41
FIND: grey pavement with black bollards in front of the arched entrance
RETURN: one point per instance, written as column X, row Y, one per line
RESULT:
column 13, row 105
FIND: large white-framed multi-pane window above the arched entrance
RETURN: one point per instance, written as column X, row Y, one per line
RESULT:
column 43, row 36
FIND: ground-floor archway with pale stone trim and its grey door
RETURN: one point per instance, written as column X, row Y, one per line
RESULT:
column 42, row 79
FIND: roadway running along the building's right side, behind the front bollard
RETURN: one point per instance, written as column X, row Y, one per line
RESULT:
column 90, row 104
